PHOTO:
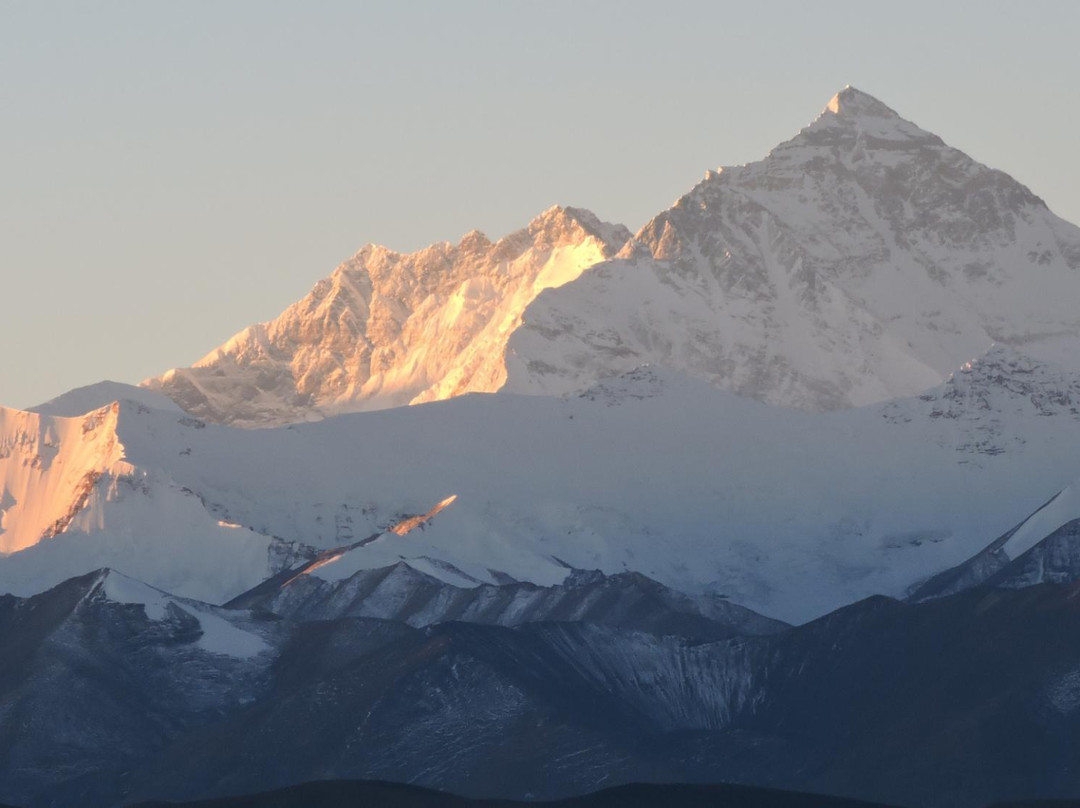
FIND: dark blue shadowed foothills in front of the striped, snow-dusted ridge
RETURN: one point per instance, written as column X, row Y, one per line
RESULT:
column 113, row 692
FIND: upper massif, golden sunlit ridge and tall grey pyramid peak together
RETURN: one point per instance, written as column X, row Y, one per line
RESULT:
column 862, row 261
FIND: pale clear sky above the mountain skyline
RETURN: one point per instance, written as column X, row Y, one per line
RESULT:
column 171, row 173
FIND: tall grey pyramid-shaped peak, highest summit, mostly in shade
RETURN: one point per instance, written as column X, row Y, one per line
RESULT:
column 859, row 262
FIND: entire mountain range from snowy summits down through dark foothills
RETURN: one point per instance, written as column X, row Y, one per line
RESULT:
column 534, row 596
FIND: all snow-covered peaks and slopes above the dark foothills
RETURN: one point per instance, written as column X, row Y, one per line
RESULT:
column 833, row 373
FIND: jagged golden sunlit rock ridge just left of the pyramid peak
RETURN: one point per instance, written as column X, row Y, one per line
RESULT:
column 388, row 329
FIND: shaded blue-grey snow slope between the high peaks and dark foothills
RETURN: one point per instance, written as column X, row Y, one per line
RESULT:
column 789, row 514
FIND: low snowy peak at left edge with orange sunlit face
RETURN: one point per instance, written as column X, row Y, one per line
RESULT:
column 72, row 502
